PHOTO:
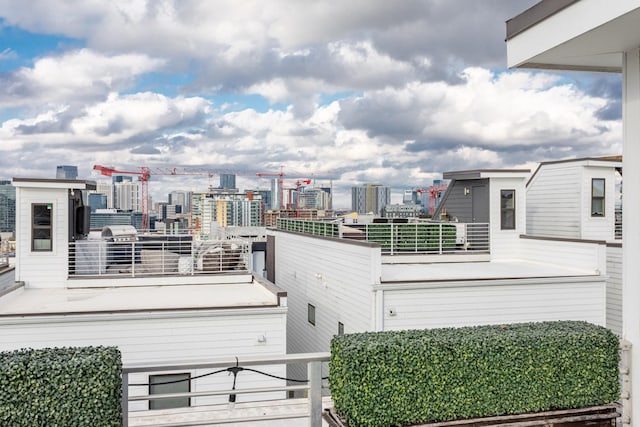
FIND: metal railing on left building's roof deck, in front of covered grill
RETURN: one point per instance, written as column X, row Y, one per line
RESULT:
column 91, row 258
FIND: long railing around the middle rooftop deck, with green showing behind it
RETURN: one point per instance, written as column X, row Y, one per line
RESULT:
column 403, row 238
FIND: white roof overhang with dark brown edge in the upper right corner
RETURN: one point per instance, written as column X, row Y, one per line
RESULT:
column 584, row 35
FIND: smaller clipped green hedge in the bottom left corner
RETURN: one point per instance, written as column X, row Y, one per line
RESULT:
column 61, row 387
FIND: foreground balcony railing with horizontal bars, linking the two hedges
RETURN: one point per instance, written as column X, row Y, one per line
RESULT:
column 312, row 387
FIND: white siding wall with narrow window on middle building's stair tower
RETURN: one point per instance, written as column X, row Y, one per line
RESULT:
column 504, row 243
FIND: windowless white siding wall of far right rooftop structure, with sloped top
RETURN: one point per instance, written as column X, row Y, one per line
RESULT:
column 553, row 201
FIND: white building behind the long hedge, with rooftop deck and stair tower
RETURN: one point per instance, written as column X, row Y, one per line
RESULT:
column 477, row 267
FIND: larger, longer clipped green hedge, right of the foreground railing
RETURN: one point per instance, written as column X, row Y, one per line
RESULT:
column 409, row 377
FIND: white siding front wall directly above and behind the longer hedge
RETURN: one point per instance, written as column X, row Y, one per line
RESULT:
column 453, row 305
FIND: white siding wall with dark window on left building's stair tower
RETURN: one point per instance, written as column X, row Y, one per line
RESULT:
column 42, row 269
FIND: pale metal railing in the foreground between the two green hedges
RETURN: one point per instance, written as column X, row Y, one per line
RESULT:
column 312, row 387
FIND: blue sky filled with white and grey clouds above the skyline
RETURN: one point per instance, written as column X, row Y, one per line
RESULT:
column 344, row 93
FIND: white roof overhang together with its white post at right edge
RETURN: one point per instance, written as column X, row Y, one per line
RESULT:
column 597, row 35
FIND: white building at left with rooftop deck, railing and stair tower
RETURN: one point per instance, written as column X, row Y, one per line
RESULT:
column 158, row 298
